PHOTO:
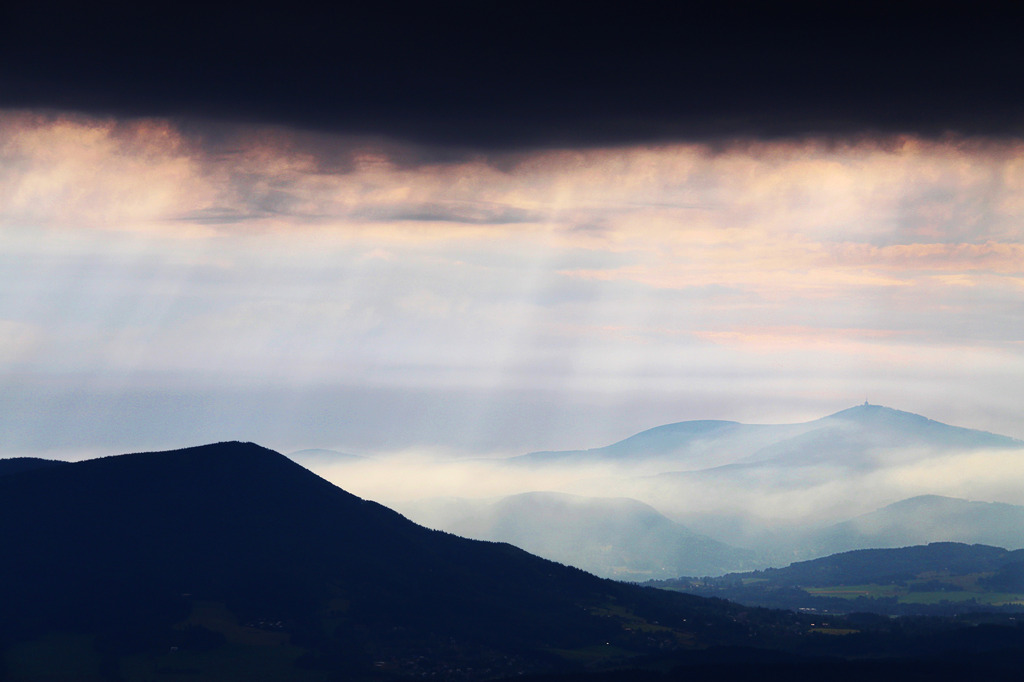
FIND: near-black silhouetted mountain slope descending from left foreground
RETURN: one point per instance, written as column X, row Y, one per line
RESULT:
column 140, row 556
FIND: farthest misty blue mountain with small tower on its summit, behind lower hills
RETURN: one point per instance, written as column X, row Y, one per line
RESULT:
column 767, row 487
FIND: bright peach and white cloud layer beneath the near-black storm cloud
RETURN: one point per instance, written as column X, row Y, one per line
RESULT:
column 147, row 253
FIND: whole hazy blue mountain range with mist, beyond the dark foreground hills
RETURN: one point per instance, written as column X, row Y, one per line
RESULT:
column 712, row 497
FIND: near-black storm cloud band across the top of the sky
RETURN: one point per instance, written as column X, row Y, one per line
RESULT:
column 526, row 74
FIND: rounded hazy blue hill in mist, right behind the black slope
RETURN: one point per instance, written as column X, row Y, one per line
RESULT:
column 610, row 537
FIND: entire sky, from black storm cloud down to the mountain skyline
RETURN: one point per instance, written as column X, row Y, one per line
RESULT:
column 486, row 232
